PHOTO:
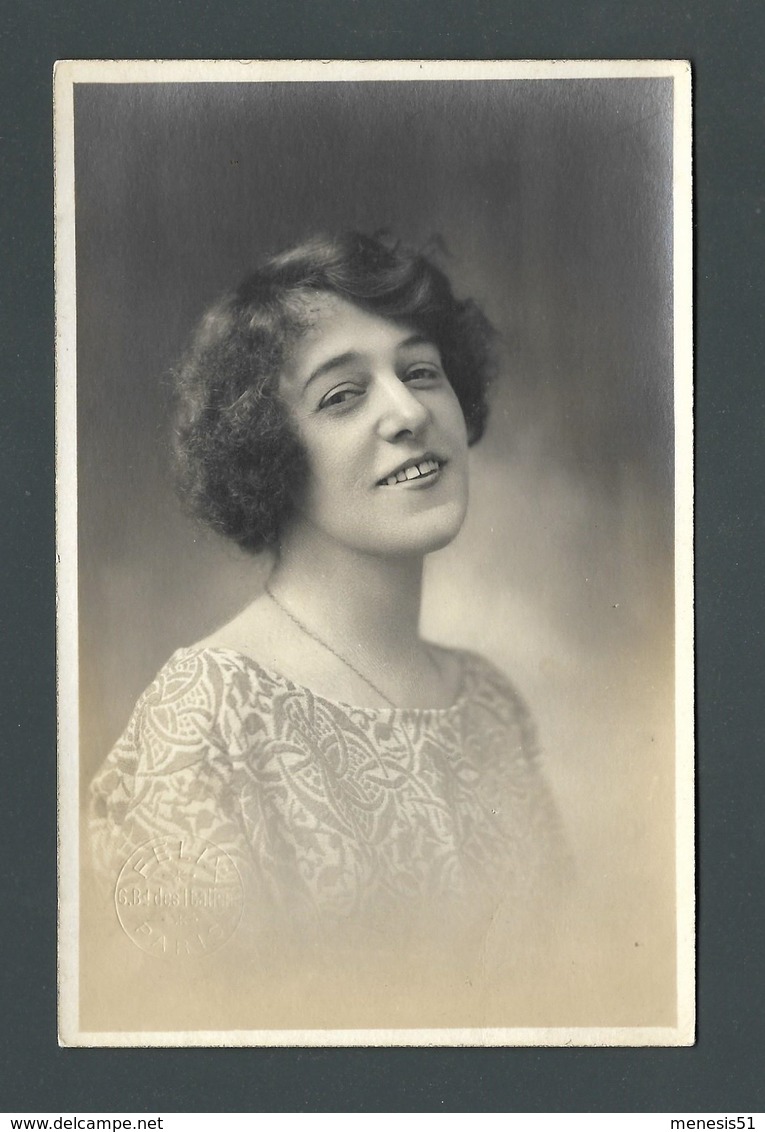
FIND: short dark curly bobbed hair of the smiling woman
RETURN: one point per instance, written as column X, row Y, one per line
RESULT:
column 239, row 465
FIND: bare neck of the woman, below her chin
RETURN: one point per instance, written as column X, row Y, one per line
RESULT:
column 362, row 603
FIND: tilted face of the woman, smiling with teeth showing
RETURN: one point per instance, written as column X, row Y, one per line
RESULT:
column 383, row 430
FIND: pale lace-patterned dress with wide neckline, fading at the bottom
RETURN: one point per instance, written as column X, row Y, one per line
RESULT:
column 391, row 821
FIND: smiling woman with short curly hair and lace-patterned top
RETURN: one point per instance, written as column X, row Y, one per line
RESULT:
column 377, row 795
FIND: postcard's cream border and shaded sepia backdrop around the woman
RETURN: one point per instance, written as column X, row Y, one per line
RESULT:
column 562, row 194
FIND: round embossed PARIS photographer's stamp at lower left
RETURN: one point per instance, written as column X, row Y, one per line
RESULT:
column 179, row 897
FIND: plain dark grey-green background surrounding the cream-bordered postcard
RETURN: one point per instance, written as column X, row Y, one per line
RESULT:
column 724, row 1070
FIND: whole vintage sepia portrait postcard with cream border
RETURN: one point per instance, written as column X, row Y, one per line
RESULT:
column 375, row 553
